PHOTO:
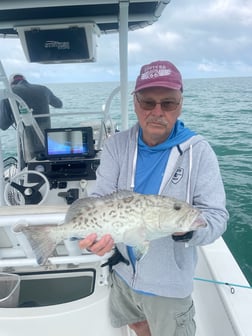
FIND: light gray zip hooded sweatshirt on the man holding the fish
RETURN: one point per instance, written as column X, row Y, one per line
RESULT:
column 192, row 174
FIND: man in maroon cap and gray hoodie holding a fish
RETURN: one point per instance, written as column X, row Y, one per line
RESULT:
column 151, row 290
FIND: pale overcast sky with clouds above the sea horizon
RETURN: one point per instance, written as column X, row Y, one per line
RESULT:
column 203, row 38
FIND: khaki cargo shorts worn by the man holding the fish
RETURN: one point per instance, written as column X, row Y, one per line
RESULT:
column 165, row 316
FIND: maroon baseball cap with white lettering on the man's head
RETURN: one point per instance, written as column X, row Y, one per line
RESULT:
column 159, row 73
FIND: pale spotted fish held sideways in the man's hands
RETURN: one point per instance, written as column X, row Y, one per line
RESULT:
column 129, row 217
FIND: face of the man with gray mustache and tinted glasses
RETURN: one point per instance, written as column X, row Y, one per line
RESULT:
column 157, row 110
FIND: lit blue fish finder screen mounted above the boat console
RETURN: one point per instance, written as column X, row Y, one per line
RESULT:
column 69, row 142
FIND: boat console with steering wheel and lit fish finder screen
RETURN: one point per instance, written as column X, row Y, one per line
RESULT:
column 61, row 174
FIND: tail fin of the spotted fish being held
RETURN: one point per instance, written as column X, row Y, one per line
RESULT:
column 41, row 239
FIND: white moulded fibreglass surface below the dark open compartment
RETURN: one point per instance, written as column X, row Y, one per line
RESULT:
column 88, row 316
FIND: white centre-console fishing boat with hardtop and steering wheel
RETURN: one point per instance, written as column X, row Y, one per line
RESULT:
column 70, row 294
